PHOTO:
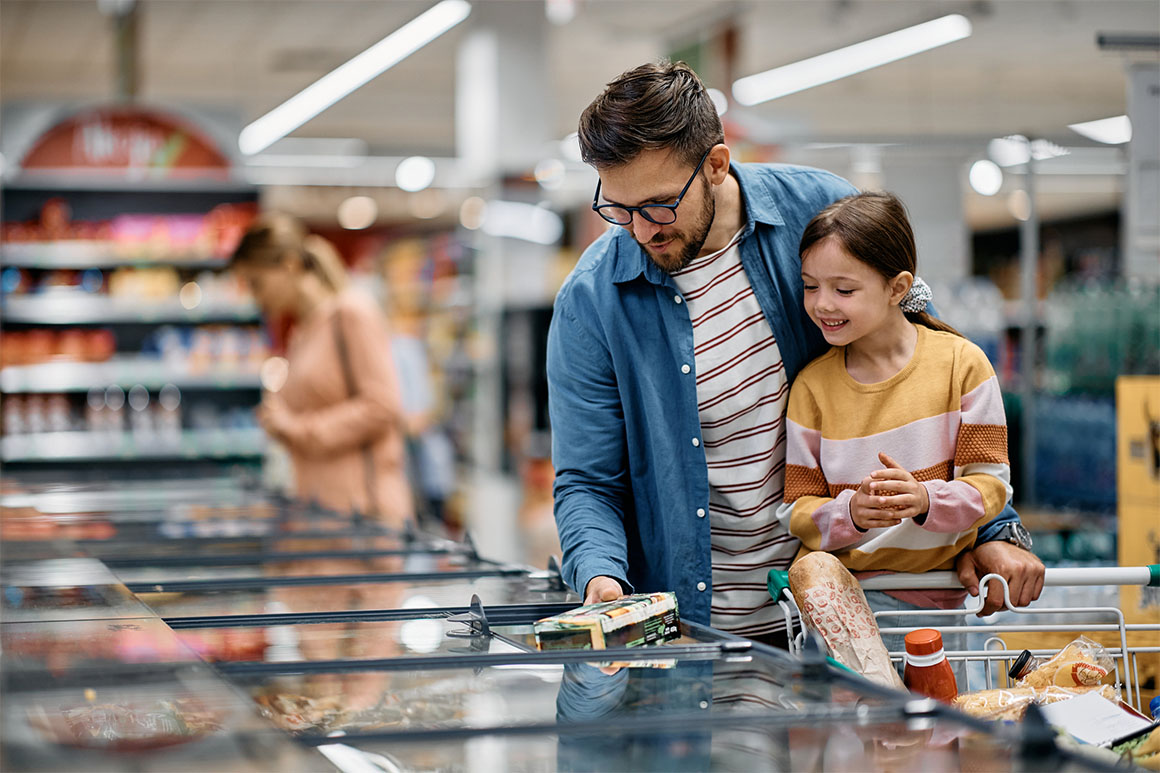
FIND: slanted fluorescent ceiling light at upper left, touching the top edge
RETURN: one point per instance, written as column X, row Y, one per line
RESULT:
column 372, row 63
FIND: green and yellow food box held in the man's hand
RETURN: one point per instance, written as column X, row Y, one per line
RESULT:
column 629, row 622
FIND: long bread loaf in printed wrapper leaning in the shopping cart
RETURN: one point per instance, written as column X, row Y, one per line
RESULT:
column 832, row 603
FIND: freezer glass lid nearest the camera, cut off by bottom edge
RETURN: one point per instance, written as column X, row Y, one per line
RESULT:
column 883, row 741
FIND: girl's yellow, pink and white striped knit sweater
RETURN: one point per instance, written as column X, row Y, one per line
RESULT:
column 941, row 417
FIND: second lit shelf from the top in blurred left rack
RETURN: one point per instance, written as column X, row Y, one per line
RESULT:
column 79, row 309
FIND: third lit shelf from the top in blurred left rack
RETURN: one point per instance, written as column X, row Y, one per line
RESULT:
column 128, row 372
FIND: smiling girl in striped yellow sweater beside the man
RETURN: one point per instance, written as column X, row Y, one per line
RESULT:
column 897, row 440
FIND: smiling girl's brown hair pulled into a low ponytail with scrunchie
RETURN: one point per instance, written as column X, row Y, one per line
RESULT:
column 874, row 228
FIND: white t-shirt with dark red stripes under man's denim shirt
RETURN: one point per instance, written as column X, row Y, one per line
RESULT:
column 742, row 398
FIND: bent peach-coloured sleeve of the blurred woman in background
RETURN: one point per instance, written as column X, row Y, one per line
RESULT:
column 374, row 409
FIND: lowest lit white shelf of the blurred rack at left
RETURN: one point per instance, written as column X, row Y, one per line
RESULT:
column 125, row 446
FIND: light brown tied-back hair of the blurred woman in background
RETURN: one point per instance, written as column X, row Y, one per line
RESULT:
column 273, row 236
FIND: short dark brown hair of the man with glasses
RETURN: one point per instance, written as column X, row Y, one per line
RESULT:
column 661, row 106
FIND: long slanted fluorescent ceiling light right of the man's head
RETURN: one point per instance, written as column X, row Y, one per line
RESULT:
column 853, row 60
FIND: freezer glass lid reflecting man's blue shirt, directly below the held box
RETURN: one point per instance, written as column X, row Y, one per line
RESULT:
column 525, row 690
